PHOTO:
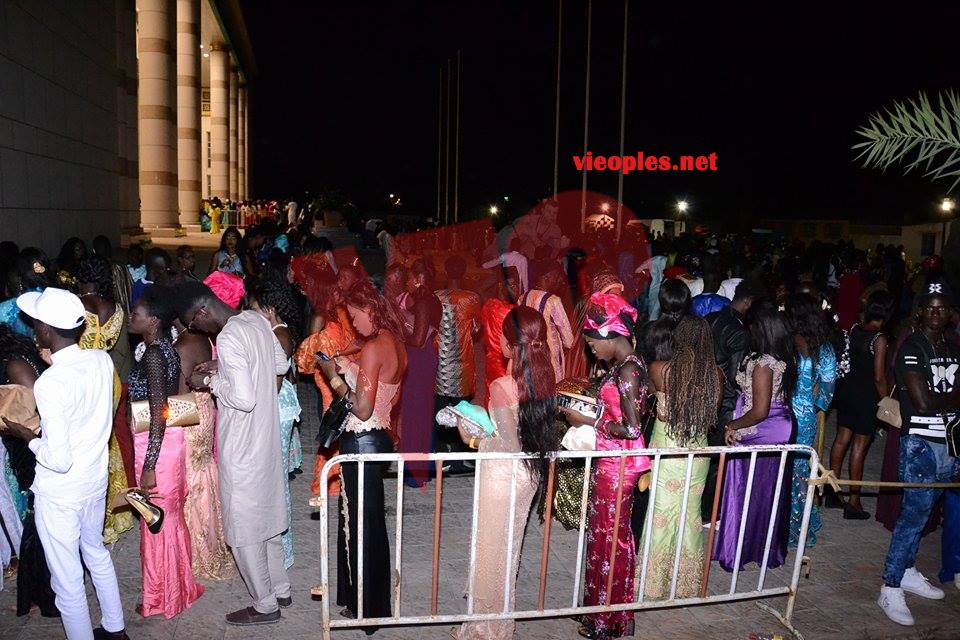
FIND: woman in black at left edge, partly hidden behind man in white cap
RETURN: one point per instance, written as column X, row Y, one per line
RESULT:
column 21, row 364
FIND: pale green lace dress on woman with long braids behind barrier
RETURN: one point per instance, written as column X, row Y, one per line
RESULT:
column 667, row 510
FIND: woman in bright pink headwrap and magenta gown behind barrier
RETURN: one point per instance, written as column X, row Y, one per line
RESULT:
column 623, row 391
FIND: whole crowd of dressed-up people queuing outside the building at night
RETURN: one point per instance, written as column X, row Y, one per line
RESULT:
column 682, row 342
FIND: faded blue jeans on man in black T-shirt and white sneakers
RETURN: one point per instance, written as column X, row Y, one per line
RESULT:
column 920, row 461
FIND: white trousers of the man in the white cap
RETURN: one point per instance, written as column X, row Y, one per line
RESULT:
column 67, row 531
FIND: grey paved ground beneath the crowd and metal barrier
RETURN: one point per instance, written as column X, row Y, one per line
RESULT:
column 837, row 601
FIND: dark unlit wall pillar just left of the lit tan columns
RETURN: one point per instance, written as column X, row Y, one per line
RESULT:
column 128, row 189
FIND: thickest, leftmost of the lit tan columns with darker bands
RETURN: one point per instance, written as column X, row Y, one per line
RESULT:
column 157, row 121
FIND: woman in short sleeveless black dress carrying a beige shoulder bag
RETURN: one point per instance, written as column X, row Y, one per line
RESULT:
column 858, row 395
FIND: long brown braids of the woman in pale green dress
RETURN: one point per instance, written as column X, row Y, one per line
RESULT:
column 694, row 382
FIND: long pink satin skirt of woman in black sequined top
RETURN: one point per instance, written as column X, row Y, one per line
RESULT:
column 169, row 586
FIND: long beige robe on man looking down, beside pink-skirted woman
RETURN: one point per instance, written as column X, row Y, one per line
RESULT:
column 248, row 430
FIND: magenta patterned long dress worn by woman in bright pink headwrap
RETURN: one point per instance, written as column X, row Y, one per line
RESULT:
column 604, row 532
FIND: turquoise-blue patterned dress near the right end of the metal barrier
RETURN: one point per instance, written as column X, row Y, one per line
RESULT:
column 815, row 386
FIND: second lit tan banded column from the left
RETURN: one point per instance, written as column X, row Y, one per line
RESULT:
column 188, row 110
